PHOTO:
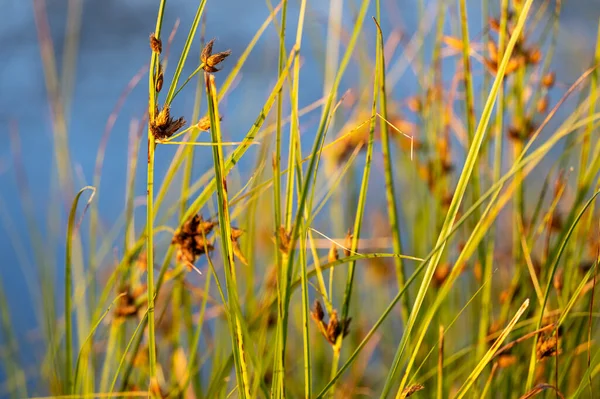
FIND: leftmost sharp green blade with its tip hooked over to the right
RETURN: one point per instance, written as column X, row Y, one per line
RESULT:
column 69, row 287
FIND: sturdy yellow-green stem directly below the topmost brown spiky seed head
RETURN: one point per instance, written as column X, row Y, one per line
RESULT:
column 226, row 244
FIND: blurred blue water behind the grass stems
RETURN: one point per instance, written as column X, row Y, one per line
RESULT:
column 100, row 49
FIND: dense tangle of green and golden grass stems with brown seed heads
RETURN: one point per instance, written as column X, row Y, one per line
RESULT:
column 537, row 334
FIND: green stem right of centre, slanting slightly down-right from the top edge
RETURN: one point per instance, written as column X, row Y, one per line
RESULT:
column 390, row 190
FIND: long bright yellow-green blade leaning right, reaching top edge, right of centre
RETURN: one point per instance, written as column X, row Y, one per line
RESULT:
column 458, row 195
